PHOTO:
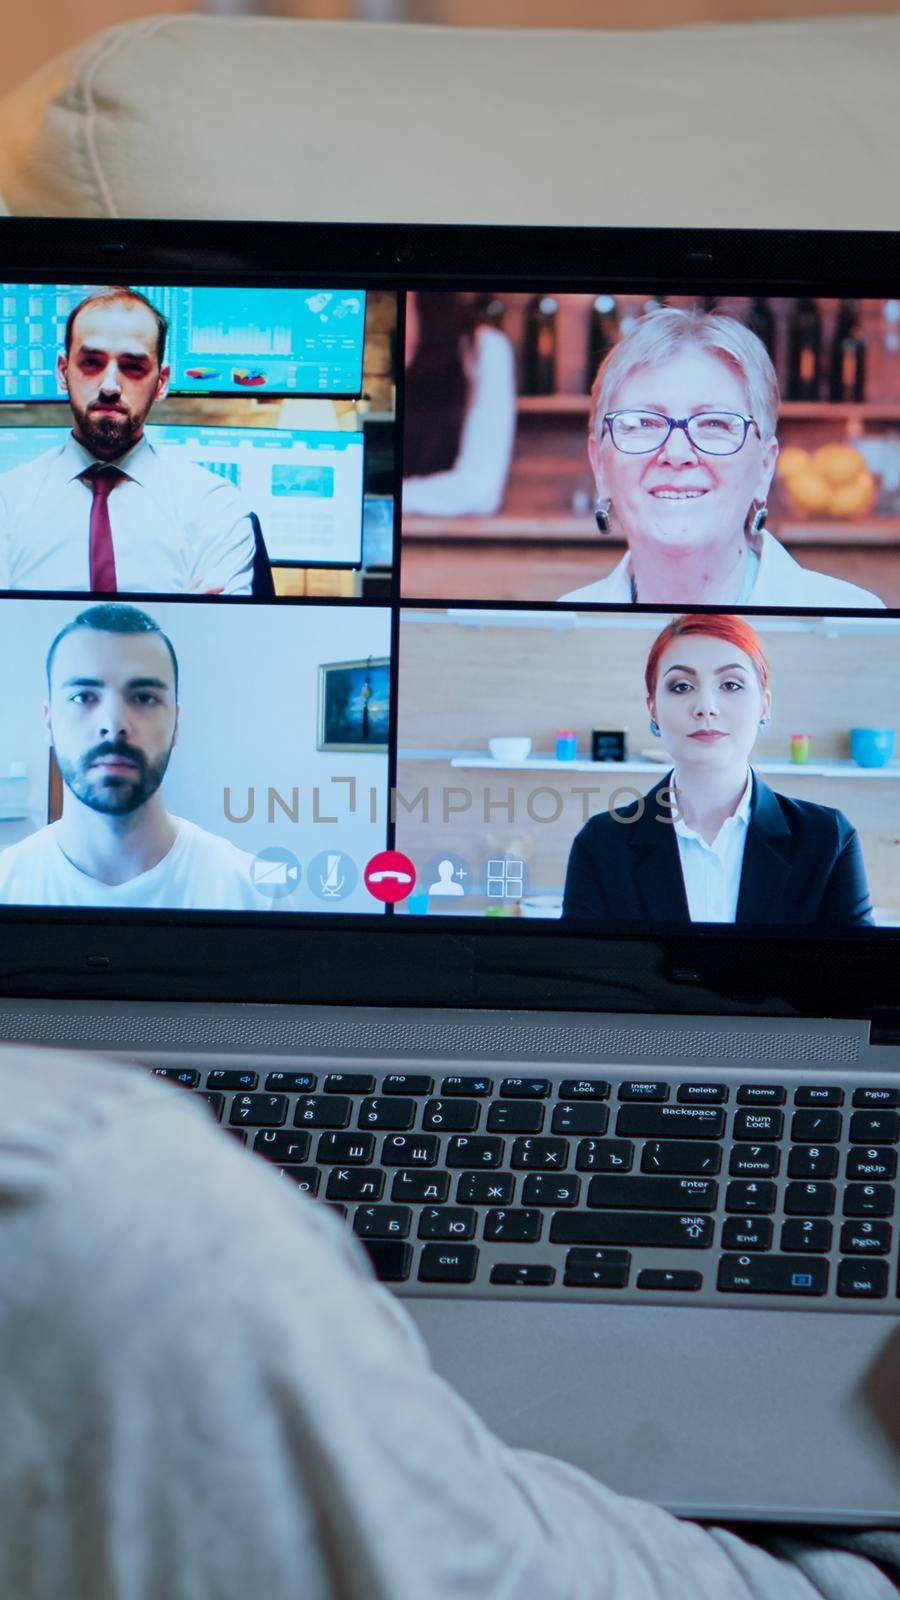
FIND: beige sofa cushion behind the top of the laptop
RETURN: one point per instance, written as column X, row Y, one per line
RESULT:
column 766, row 124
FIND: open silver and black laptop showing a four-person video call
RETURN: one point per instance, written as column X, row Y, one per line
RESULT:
column 536, row 908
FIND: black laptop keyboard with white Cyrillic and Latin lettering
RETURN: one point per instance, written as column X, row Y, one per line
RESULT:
column 665, row 1188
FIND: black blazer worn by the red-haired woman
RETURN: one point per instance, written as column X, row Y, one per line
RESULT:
column 802, row 865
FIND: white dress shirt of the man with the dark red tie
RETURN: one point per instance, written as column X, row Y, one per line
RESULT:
column 177, row 529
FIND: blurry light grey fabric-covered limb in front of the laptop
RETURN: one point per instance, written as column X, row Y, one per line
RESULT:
column 236, row 1409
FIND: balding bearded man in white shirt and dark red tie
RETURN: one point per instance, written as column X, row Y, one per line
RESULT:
column 106, row 511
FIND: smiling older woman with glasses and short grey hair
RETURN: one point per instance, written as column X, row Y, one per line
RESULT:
column 683, row 450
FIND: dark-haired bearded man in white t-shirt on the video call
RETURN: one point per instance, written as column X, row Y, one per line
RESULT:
column 111, row 721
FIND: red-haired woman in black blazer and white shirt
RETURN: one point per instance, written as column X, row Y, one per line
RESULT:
column 713, row 842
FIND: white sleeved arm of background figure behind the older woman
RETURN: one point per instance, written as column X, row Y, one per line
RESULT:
column 473, row 487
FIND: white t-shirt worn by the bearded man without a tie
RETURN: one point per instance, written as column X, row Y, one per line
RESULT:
column 201, row 873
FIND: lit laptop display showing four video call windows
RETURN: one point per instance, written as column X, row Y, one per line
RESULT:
column 619, row 652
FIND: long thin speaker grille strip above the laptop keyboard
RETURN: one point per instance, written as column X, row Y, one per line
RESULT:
column 417, row 1036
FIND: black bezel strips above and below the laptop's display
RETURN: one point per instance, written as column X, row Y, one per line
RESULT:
column 385, row 961
